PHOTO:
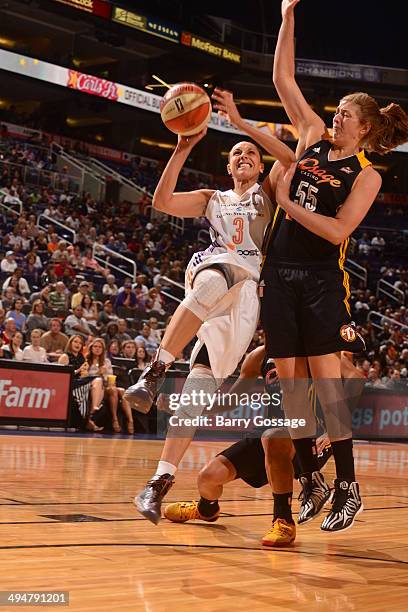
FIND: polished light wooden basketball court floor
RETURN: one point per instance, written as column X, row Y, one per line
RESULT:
column 67, row 524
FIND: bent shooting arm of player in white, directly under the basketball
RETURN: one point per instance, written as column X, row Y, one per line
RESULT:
column 181, row 204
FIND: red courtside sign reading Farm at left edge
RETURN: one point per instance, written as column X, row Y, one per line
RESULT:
column 31, row 394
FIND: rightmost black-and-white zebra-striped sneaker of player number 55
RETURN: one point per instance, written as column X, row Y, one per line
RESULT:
column 346, row 506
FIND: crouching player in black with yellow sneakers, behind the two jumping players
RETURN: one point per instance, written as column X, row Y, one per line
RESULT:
column 256, row 461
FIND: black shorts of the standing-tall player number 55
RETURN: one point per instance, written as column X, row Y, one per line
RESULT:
column 305, row 312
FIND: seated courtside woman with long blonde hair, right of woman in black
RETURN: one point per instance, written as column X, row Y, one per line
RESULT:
column 101, row 367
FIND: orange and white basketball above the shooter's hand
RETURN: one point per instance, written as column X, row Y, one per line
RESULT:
column 185, row 109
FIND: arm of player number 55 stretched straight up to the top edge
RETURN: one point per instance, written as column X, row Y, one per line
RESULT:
column 306, row 121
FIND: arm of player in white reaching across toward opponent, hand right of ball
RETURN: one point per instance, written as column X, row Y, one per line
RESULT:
column 227, row 108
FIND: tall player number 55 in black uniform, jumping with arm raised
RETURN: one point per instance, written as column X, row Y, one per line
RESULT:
column 305, row 308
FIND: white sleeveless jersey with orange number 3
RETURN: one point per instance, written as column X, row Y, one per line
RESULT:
column 237, row 227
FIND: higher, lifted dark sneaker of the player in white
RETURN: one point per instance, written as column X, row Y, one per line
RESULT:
column 141, row 395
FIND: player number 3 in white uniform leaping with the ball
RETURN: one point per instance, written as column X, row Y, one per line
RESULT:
column 221, row 304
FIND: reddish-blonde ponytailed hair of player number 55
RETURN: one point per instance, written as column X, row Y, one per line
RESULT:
column 389, row 125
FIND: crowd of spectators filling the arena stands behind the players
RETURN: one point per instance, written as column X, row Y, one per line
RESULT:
column 53, row 288
